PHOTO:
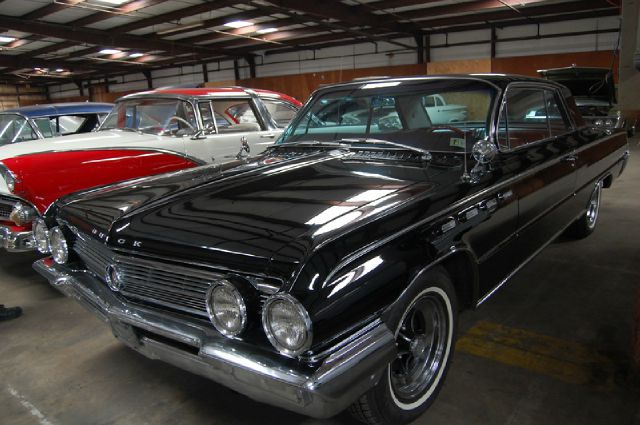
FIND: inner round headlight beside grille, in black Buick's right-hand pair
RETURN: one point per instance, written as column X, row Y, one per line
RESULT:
column 227, row 309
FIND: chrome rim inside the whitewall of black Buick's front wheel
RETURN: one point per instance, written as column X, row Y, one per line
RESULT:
column 421, row 341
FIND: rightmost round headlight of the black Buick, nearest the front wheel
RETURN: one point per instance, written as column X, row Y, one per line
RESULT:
column 287, row 325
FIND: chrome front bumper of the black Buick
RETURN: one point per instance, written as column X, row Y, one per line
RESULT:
column 323, row 392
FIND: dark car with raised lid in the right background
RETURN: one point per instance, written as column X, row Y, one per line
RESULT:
column 595, row 95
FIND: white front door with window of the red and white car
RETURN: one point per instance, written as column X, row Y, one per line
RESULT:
column 227, row 123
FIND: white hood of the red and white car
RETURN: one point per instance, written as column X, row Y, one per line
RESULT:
column 96, row 140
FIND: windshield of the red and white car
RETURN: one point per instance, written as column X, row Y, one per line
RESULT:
column 164, row 117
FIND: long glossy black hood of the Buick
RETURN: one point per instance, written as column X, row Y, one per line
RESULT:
column 268, row 211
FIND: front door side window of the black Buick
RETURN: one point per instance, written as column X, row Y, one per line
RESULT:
column 526, row 116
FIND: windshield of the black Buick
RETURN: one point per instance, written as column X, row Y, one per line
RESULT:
column 437, row 115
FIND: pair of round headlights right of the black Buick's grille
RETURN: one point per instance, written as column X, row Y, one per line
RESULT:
column 284, row 320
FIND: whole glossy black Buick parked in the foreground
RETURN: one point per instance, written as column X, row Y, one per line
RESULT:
column 329, row 272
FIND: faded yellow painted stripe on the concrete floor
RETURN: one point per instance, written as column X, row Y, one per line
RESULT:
column 564, row 360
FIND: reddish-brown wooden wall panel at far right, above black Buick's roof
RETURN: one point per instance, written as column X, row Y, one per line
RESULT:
column 528, row 65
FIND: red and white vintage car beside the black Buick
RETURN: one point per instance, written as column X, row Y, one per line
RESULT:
column 146, row 133
